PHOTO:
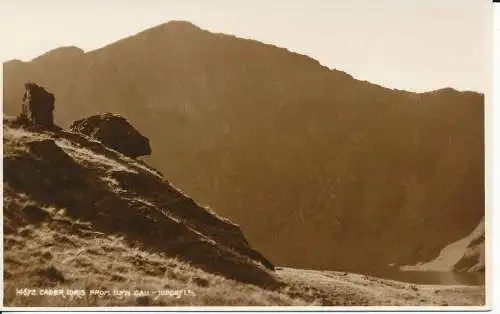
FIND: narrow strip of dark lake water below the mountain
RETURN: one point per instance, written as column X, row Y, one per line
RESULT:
column 430, row 277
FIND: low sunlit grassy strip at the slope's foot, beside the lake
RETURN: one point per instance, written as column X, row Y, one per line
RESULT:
column 332, row 288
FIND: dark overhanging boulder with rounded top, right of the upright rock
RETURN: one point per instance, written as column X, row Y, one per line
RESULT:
column 115, row 132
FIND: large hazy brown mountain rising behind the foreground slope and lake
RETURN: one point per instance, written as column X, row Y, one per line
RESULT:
column 319, row 169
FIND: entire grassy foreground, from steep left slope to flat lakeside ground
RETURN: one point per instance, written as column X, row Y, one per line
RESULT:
column 79, row 216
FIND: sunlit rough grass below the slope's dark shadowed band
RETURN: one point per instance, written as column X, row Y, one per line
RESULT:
column 92, row 260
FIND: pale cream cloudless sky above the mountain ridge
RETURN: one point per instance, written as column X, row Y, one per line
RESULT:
column 414, row 45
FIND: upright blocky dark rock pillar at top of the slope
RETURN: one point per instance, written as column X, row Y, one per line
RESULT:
column 37, row 107
